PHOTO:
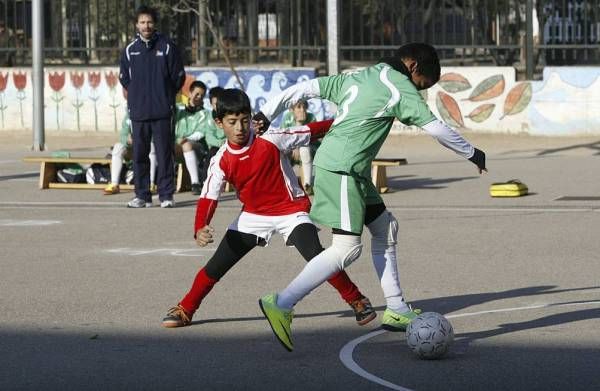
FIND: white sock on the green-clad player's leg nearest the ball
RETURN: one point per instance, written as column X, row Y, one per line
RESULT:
column 385, row 263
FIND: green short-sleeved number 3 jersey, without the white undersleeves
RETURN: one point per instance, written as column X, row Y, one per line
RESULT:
column 368, row 101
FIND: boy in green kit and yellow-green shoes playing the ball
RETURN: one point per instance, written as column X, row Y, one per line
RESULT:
column 345, row 198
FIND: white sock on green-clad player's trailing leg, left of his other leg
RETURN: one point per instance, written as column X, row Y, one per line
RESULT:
column 317, row 270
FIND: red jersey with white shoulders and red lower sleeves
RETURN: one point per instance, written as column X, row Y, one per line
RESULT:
column 260, row 172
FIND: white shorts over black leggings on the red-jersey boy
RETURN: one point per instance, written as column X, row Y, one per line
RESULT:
column 265, row 226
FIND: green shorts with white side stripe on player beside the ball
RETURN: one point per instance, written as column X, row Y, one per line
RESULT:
column 340, row 200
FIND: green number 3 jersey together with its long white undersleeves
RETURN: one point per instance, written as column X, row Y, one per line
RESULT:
column 368, row 101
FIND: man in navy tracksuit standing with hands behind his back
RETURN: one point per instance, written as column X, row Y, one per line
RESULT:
column 152, row 73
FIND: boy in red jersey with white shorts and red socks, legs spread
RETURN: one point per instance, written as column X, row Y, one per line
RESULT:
column 273, row 201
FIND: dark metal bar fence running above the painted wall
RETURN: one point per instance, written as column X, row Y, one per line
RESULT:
column 294, row 32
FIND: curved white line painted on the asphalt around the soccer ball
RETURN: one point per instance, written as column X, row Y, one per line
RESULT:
column 348, row 349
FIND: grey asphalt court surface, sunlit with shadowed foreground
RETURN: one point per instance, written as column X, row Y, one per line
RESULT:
column 85, row 282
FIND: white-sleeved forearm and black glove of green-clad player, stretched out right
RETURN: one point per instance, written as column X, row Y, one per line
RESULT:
column 451, row 139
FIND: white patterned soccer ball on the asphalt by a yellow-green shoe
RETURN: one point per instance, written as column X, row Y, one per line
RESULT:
column 429, row 335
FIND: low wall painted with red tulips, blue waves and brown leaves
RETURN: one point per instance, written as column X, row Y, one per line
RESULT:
column 482, row 99
